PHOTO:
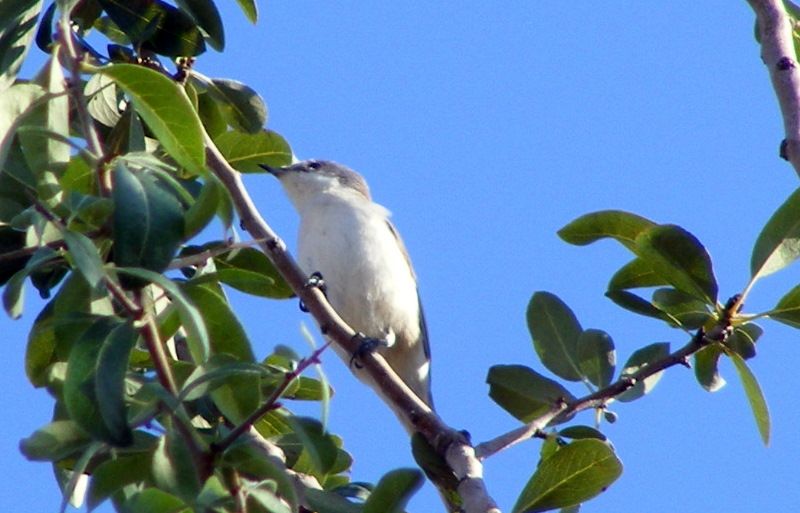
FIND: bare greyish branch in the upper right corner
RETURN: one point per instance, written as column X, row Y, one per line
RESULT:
column 775, row 29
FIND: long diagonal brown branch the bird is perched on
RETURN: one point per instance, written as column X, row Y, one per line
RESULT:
column 456, row 450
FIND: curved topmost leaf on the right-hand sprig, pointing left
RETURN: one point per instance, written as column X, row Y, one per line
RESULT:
column 621, row 226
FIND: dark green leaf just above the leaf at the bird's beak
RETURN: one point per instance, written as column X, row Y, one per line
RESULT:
column 243, row 108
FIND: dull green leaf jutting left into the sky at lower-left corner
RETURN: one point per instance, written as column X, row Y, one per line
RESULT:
column 55, row 441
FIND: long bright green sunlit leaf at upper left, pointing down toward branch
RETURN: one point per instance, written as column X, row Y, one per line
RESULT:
column 166, row 109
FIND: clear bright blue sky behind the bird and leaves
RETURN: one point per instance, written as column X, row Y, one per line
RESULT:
column 485, row 127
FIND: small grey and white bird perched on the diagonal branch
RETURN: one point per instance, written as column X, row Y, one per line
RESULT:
column 368, row 277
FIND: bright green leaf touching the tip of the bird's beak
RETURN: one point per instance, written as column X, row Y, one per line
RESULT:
column 246, row 151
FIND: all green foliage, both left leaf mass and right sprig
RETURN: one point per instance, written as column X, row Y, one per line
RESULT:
column 104, row 198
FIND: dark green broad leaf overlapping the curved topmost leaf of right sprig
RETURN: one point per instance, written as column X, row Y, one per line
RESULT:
column 678, row 257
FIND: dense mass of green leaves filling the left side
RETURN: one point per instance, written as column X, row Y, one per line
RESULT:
column 105, row 204
